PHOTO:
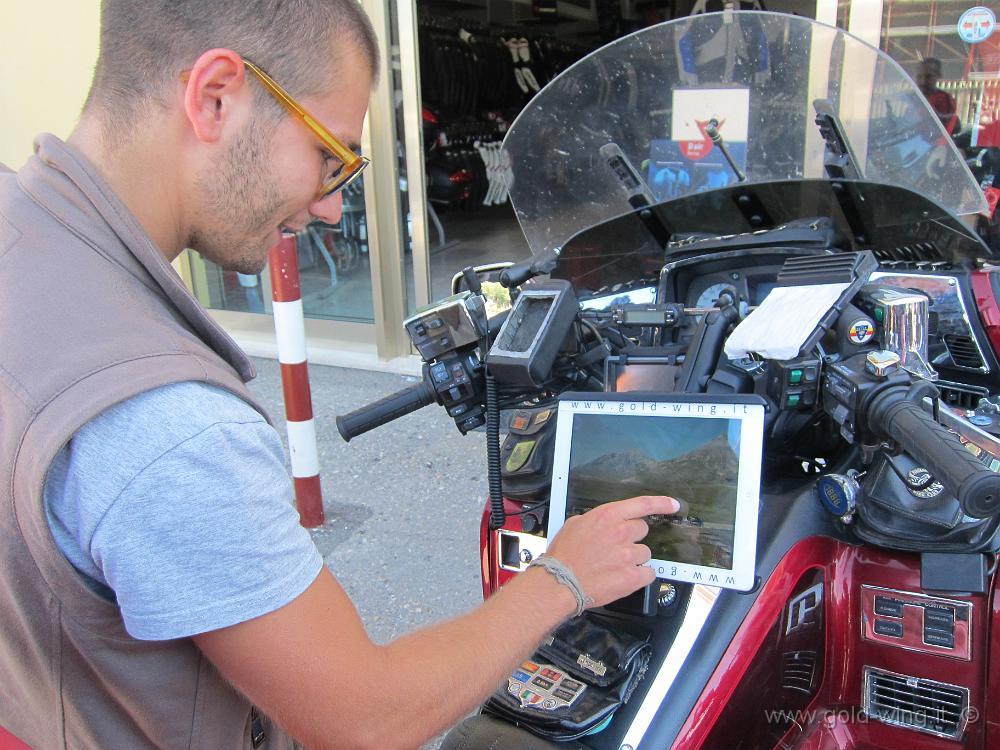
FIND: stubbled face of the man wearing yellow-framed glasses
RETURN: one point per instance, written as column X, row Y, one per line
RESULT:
column 266, row 177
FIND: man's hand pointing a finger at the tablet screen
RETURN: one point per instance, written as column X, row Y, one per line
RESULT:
column 602, row 546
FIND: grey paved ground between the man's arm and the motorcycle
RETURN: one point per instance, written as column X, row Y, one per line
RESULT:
column 403, row 502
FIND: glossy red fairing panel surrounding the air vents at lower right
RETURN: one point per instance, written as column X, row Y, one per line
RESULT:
column 732, row 705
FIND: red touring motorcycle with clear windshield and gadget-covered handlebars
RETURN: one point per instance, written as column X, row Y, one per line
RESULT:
column 681, row 189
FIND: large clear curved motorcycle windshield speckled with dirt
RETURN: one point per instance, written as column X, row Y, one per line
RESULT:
column 631, row 123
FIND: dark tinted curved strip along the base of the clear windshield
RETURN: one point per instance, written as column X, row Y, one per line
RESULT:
column 899, row 225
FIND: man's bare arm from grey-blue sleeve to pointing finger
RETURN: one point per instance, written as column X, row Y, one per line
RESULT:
column 311, row 666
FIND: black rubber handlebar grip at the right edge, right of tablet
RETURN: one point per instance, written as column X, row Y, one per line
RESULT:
column 976, row 487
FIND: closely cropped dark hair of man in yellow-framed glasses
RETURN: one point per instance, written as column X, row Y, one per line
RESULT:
column 145, row 44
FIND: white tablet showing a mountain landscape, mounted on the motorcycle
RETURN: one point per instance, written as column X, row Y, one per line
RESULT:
column 705, row 451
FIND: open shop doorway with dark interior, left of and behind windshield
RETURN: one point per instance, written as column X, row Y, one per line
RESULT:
column 477, row 63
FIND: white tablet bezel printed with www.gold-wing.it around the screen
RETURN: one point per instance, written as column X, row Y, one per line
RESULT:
column 748, row 409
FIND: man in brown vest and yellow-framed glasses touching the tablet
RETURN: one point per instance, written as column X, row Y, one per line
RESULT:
column 155, row 587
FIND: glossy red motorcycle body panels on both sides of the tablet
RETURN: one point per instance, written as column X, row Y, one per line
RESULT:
column 796, row 672
